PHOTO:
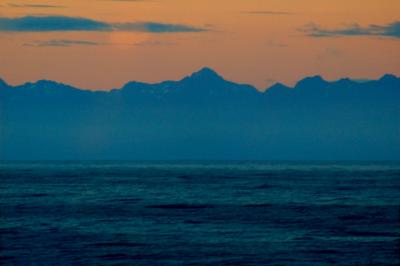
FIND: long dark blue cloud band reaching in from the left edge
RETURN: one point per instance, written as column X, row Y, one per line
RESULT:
column 64, row 23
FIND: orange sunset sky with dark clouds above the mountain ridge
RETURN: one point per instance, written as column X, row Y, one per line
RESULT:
column 102, row 44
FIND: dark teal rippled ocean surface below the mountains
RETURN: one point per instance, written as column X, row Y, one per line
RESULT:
column 200, row 213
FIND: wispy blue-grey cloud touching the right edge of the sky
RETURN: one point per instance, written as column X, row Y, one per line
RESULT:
column 388, row 30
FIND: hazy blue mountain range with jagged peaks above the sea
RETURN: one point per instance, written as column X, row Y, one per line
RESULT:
column 203, row 116
